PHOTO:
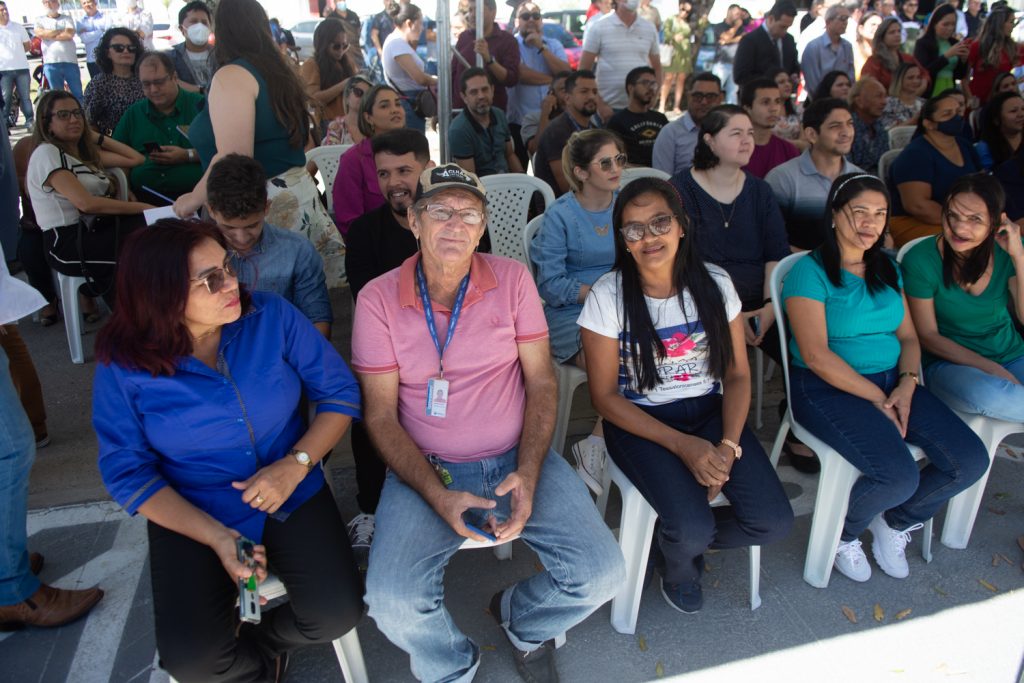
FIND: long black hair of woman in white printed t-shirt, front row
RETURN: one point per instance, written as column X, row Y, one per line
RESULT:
column 689, row 274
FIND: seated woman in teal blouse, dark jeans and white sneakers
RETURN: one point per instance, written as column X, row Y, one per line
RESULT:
column 854, row 382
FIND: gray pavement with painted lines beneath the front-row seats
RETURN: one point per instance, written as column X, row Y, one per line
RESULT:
column 958, row 627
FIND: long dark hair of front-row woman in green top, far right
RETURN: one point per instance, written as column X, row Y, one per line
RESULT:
column 968, row 270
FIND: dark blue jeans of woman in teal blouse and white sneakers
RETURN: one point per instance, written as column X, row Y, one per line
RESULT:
column 890, row 482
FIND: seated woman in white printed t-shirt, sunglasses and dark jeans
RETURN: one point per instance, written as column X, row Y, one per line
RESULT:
column 667, row 365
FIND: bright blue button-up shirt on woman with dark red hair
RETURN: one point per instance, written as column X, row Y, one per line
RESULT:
column 201, row 430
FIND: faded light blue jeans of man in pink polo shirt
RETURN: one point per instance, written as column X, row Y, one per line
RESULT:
column 412, row 545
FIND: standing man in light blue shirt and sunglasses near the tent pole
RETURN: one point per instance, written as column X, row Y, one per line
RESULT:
column 541, row 58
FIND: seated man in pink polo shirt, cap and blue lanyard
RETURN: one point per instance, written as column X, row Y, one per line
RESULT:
column 452, row 353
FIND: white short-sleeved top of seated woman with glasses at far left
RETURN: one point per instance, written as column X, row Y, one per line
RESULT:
column 53, row 209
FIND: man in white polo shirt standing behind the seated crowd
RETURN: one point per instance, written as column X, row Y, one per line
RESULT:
column 624, row 41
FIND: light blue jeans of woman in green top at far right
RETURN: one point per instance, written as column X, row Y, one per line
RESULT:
column 971, row 391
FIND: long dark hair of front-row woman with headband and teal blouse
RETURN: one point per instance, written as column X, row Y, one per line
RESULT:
column 880, row 272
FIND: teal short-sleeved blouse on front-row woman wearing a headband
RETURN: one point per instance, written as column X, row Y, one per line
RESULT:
column 862, row 326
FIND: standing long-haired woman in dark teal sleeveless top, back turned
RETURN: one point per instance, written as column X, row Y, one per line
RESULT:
column 258, row 107
